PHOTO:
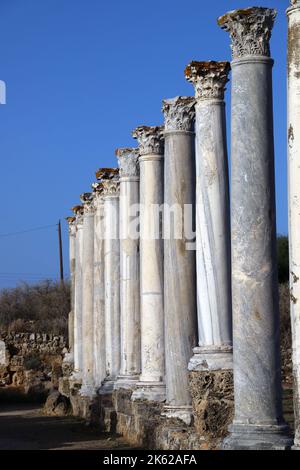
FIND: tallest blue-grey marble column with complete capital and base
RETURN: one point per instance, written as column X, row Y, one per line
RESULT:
column 258, row 421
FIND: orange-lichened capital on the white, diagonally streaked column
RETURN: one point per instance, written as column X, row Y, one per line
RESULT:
column 208, row 78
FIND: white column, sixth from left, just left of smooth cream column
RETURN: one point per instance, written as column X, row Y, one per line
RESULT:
column 129, row 269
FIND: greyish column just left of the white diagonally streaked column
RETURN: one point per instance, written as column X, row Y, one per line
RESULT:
column 179, row 259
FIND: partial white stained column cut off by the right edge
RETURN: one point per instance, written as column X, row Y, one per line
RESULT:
column 293, row 149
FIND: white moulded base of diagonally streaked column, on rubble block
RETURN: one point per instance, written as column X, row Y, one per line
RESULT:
column 211, row 358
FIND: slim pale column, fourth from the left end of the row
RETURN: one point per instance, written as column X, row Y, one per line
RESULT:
column 99, row 312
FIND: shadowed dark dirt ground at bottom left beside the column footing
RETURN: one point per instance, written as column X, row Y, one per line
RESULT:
column 23, row 426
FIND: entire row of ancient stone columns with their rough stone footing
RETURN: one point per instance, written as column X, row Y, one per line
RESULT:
column 174, row 322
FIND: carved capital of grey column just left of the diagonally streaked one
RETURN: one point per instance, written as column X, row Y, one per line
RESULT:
column 179, row 113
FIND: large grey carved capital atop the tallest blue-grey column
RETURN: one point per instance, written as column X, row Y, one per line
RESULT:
column 250, row 30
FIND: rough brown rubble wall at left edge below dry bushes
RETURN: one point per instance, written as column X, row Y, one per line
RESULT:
column 30, row 363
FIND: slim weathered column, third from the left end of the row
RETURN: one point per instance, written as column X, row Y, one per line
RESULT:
column 88, row 385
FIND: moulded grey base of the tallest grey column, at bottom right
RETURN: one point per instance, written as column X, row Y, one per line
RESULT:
column 253, row 437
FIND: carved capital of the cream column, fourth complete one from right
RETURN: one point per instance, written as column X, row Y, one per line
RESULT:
column 150, row 139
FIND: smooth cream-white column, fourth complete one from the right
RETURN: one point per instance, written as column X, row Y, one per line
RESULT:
column 151, row 384
